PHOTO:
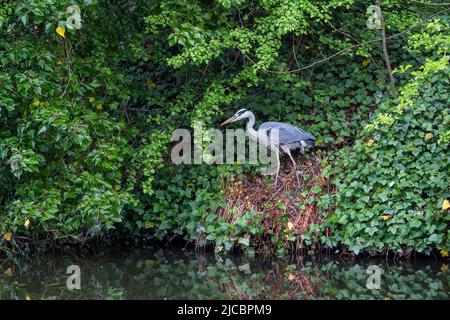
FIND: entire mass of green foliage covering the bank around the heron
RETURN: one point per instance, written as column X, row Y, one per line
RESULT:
column 86, row 118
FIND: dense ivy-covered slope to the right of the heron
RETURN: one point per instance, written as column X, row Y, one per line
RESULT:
column 393, row 180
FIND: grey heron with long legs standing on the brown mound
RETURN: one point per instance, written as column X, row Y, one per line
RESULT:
column 289, row 137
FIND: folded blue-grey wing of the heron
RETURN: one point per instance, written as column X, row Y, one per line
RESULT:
column 288, row 134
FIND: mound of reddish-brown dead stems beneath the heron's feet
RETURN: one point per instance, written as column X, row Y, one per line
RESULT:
column 289, row 212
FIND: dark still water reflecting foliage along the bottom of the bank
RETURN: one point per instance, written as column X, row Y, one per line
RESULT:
column 161, row 273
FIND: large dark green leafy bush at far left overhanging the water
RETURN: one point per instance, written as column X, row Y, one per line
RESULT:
column 65, row 139
